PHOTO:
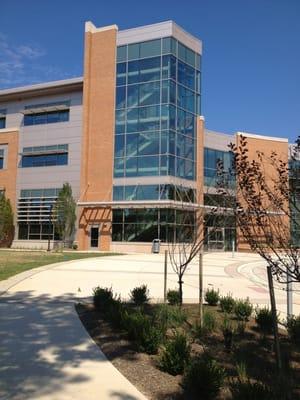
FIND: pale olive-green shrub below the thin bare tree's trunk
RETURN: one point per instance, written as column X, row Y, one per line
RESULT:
column 169, row 317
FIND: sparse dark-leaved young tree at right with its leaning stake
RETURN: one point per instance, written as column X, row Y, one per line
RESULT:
column 267, row 213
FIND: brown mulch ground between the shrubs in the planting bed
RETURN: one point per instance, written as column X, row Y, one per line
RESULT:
column 141, row 369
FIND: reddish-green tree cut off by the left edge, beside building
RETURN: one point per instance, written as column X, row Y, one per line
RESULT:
column 6, row 222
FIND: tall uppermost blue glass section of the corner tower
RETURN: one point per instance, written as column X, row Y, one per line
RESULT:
column 157, row 101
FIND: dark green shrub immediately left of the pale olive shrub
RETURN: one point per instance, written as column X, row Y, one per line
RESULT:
column 143, row 332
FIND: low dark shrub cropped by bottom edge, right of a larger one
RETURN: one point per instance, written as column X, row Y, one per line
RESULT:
column 247, row 390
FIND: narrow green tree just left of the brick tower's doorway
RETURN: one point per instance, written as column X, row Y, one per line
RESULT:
column 64, row 213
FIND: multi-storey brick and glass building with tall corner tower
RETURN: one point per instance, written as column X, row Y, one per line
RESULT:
column 128, row 136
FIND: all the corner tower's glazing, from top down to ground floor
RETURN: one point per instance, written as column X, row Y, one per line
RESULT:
column 157, row 101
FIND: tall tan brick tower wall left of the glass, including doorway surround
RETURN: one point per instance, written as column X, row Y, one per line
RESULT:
column 98, row 133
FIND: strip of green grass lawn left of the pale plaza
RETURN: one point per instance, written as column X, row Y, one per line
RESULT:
column 14, row 262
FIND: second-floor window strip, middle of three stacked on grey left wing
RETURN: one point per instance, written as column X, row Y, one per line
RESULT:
column 45, row 156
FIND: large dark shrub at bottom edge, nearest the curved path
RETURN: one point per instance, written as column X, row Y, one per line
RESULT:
column 203, row 377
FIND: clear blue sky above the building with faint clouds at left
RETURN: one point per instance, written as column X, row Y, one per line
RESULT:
column 250, row 63
